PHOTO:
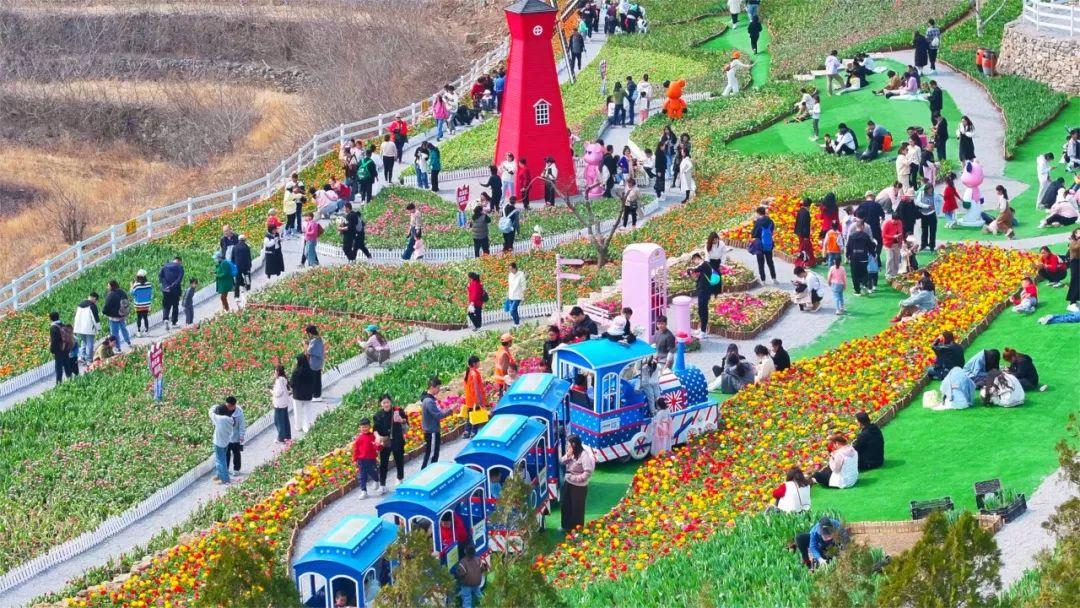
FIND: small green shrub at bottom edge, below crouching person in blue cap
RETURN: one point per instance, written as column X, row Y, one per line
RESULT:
column 849, row 582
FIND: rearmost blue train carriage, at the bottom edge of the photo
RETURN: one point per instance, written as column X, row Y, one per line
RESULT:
column 348, row 562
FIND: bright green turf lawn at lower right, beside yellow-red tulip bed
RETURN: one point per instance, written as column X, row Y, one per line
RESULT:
column 937, row 454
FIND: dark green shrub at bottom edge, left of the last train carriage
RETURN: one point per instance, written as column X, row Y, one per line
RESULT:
column 249, row 576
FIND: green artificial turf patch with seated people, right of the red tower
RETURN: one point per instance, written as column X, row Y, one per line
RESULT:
column 855, row 110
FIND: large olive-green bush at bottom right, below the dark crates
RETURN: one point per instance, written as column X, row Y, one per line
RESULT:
column 953, row 565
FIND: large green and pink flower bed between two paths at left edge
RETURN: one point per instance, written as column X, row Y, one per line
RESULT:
column 80, row 456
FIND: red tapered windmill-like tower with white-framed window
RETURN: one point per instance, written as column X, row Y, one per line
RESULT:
column 533, row 126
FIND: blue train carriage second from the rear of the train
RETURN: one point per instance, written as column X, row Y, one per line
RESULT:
column 447, row 499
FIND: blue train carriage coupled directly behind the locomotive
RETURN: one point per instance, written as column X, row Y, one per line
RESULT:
column 543, row 398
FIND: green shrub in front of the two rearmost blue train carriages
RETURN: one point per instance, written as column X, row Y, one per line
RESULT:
column 420, row 579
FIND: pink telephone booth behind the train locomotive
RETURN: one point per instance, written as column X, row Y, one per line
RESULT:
column 645, row 285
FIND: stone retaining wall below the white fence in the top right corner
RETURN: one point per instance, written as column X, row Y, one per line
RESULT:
column 1050, row 59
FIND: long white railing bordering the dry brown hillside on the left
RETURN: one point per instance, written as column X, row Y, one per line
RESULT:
column 156, row 223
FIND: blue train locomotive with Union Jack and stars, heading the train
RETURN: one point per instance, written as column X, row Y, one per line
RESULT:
column 613, row 416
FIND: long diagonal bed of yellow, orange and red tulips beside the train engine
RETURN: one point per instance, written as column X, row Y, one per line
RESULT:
column 696, row 492
